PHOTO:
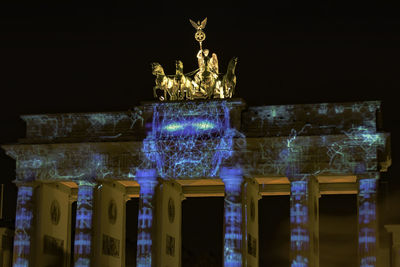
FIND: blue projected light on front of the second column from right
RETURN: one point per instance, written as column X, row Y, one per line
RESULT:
column 299, row 233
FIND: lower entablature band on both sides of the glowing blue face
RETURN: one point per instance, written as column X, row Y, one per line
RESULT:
column 267, row 156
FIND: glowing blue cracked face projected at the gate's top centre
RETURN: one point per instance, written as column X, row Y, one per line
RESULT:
column 189, row 139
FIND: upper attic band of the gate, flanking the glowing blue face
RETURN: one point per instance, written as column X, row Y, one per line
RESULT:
column 260, row 121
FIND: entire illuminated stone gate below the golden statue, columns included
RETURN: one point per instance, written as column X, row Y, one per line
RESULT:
column 163, row 152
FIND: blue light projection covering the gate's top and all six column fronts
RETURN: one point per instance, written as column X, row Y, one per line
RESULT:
column 194, row 139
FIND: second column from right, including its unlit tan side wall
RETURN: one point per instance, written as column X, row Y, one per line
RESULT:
column 304, row 221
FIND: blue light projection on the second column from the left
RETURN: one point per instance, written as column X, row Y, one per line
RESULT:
column 83, row 228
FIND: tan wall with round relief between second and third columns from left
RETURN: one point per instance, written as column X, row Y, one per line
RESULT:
column 109, row 225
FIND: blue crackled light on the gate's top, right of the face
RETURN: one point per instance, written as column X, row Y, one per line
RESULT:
column 336, row 136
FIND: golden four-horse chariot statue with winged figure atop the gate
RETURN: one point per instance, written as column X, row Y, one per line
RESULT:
column 206, row 83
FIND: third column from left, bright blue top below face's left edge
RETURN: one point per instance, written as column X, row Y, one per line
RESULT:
column 147, row 180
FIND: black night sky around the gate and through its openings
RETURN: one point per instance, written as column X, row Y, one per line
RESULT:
column 71, row 57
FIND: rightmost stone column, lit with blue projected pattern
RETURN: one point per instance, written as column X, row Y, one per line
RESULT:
column 367, row 220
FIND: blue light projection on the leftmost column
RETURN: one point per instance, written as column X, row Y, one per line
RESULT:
column 23, row 223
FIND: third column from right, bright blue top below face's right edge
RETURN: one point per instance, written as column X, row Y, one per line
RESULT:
column 233, row 237
